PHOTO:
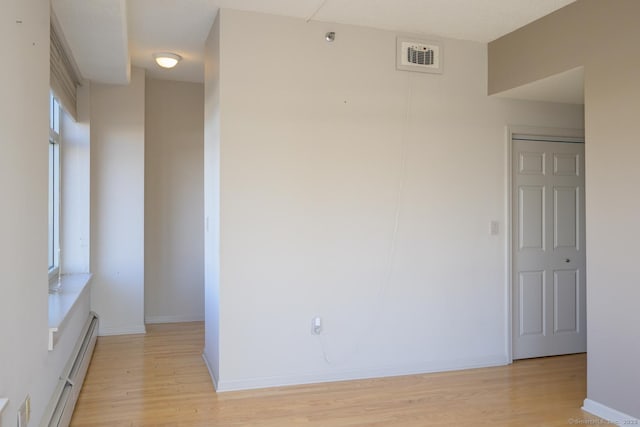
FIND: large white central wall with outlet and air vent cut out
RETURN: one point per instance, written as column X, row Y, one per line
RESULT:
column 361, row 194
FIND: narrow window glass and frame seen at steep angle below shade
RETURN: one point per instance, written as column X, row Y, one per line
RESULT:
column 54, row 187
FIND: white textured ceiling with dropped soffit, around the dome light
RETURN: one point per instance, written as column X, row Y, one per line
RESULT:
column 105, row 35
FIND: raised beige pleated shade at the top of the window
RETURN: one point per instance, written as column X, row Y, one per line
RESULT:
column 63, row 78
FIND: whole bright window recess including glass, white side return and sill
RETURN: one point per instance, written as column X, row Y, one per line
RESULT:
column 68, row 214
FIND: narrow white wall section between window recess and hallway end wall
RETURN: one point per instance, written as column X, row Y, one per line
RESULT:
column 117, row 205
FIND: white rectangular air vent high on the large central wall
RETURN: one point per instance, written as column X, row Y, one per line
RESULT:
column 416, row 55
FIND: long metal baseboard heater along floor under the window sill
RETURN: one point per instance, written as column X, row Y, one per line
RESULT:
column 63, row 401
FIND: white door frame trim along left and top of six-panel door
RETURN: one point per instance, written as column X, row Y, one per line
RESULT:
column 510, row 130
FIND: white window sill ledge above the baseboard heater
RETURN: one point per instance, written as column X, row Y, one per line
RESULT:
column 61, row 303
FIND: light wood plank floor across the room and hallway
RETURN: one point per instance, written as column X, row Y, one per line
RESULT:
column 159, row 379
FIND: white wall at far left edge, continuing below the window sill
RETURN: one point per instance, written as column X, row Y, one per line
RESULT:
column 26, row 367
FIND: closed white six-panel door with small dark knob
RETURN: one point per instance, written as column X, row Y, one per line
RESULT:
column 548, row 284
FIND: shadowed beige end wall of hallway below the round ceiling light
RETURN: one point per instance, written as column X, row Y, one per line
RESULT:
column 174, row 230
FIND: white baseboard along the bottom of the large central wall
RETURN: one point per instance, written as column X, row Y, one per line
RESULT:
column 391, row 371
